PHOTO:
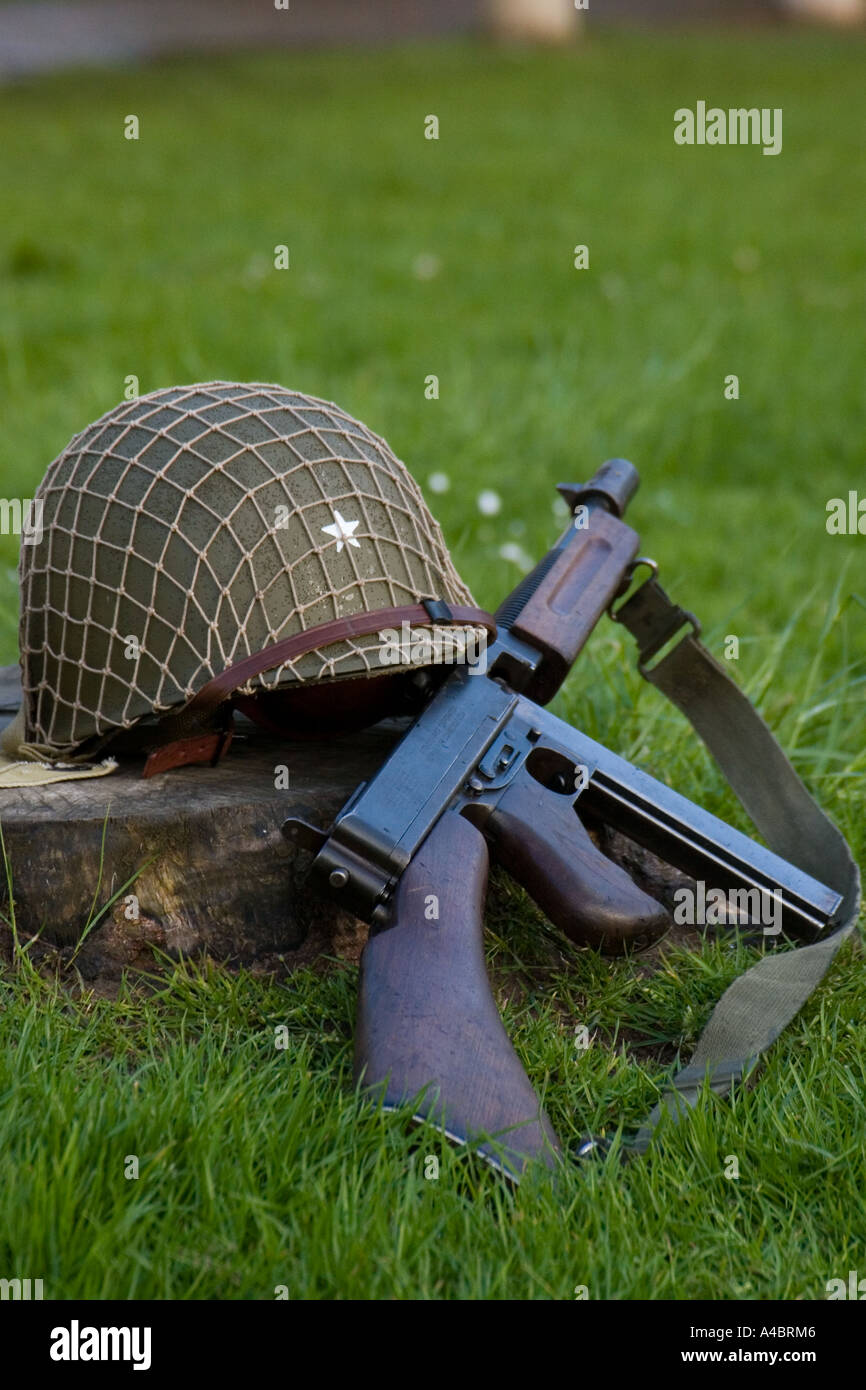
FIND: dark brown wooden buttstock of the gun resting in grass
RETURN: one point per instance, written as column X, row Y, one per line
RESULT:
column 427, row 1018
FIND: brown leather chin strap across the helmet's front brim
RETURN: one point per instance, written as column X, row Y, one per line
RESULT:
column 201, row 743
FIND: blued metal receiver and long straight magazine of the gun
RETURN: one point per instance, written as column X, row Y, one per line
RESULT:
column 483, row 751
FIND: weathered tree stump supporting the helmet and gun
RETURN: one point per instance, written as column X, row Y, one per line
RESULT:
column 195, row 860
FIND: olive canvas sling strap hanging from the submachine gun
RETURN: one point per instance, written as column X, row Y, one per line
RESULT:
column 760, row 1004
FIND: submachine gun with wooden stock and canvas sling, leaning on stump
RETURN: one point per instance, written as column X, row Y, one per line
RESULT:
column 486, row 771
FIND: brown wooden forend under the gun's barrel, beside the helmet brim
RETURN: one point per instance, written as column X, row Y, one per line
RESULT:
column 572, row 598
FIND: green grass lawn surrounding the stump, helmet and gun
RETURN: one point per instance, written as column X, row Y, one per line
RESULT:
column 258, row 1167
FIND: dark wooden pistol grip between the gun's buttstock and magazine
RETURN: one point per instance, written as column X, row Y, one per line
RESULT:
column 539, row 839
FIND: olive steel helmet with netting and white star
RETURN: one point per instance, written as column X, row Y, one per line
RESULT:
column 215, row 541
